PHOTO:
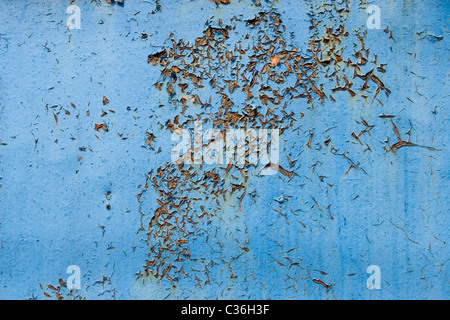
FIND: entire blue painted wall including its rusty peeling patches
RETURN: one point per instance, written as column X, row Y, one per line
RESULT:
column 86, row 176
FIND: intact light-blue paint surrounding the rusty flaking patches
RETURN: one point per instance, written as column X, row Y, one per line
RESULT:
column 51, row 203
